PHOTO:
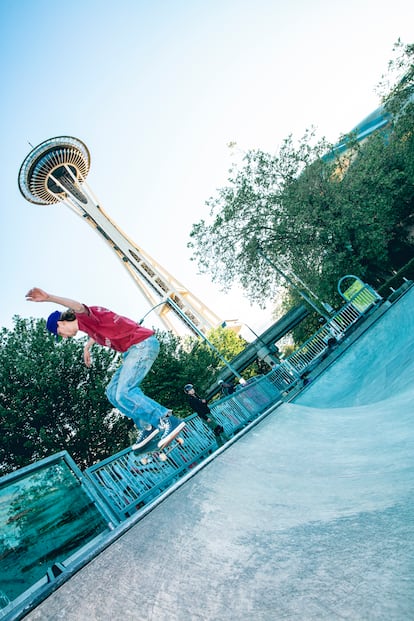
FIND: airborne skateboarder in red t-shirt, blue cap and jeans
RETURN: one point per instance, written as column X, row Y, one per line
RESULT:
column 139, row 349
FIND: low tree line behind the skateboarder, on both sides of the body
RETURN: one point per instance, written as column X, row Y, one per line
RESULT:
column 50, row 401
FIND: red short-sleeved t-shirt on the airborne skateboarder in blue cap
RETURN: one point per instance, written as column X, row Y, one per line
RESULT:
column 111, row 330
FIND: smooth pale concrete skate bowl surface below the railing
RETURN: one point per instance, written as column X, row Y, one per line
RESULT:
column 308, row 515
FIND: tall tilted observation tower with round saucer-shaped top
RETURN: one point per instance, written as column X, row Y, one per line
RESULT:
column 55, row 171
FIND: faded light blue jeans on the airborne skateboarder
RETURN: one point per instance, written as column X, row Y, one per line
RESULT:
column 123, row 390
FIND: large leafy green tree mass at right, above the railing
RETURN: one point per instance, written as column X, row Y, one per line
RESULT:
column 316, row 217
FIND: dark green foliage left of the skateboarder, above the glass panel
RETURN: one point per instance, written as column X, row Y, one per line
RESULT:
column 49, row 400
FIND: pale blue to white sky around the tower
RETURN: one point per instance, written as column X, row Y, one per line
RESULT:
column 157, row 90
